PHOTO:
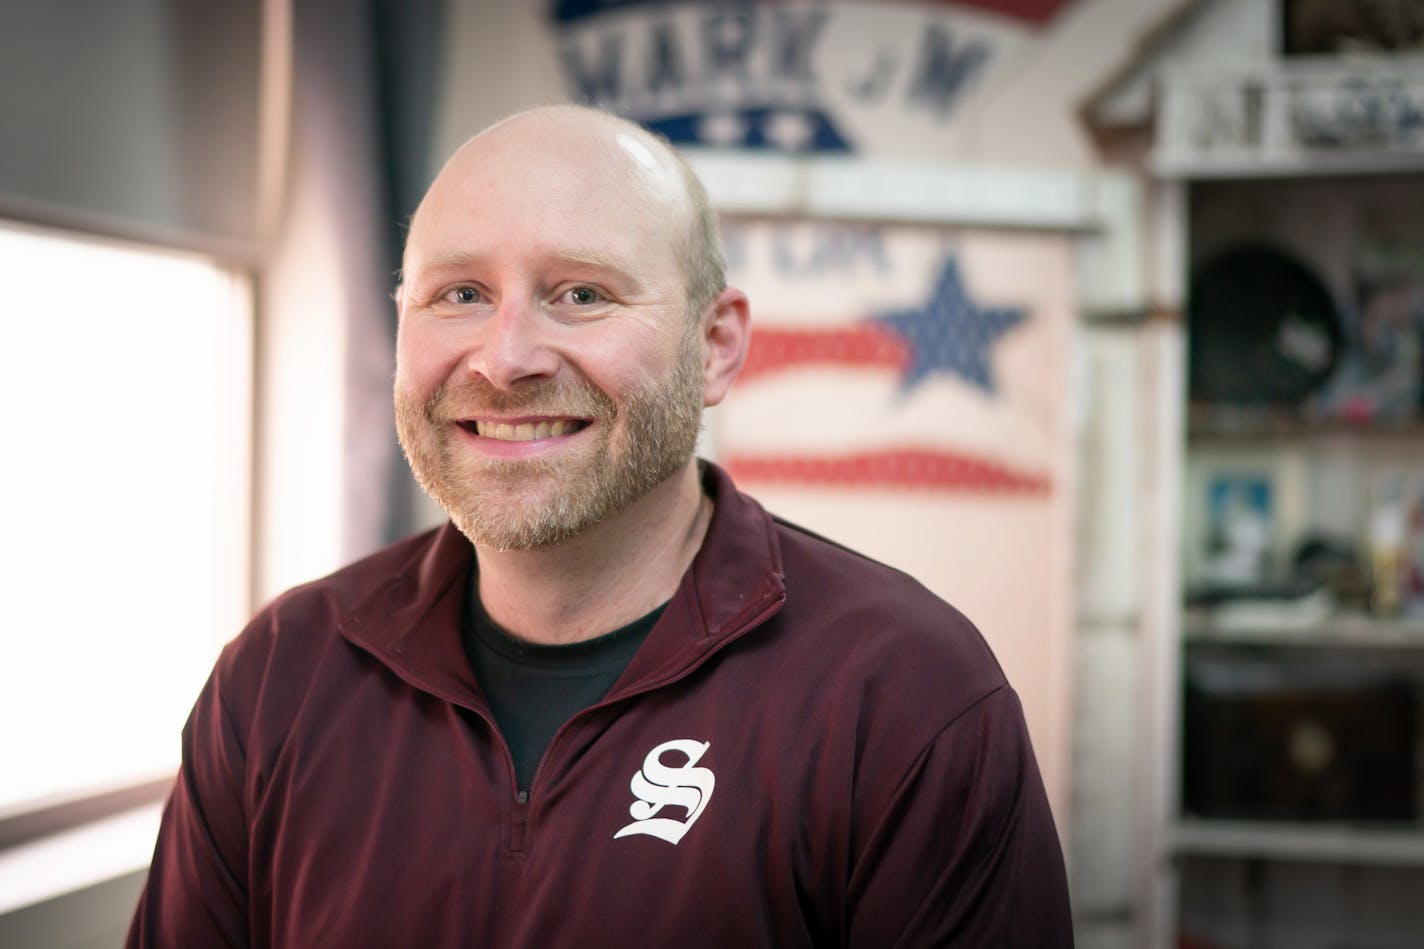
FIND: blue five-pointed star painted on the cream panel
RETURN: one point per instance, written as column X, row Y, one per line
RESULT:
column 951, row 333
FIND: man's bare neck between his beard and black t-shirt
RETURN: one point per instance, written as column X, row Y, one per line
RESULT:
column 607, row 576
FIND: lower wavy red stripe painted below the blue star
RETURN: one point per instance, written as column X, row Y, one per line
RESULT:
column 923, row 470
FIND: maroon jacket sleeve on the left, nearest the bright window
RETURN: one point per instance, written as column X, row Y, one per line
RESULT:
column 197, row 884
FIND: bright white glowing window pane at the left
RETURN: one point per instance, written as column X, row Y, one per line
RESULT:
column 125, row 504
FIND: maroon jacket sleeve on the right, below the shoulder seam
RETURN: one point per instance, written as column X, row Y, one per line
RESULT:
column 966, row 853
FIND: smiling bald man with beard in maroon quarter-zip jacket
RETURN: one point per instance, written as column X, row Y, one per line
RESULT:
column 616, row 703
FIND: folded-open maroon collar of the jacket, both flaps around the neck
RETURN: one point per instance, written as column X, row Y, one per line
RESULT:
column 412, row 621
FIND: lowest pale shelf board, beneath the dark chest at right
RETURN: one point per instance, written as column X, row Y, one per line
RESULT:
column 1299, row 841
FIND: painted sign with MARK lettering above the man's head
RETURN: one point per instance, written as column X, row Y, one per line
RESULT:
column 797, row 78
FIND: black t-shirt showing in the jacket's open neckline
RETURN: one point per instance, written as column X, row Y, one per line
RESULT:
column 535, row 689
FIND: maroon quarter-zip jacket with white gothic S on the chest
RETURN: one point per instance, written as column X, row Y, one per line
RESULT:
column 810, row 750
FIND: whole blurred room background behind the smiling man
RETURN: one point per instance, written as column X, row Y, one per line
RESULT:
column 1104, row 318
